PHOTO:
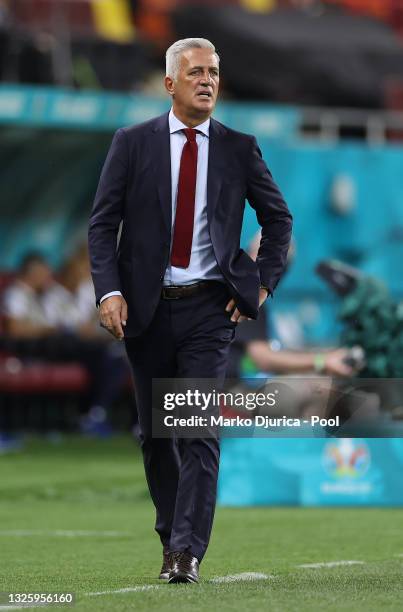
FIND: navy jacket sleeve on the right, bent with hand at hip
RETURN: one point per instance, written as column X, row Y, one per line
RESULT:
column 273, row 216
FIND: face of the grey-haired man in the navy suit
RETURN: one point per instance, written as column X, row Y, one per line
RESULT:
column 195, row 88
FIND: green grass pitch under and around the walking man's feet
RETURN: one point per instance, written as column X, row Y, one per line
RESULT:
column 75, row 516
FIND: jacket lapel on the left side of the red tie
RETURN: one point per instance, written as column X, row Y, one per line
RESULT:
column 161, row 157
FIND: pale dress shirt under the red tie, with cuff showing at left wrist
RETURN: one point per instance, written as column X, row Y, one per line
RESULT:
column 203, row 264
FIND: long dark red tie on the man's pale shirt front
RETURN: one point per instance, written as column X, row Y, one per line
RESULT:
column 185, row 203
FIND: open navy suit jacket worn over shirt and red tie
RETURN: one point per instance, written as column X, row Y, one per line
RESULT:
column 135, row 189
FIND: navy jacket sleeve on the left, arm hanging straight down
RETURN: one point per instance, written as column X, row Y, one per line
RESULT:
column 106, row 215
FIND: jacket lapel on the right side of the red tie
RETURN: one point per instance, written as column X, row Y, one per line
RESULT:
column 216, row 167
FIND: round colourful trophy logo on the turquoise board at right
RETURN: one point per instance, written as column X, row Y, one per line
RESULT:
column 346, row 458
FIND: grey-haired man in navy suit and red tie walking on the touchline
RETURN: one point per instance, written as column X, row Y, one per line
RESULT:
column 176, row 283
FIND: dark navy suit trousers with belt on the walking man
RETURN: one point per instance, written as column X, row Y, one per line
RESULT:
column 188, row 338
